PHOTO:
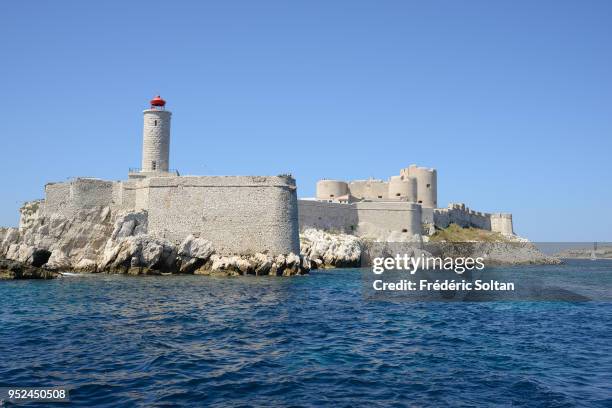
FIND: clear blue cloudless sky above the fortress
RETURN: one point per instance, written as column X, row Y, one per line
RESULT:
column 510, row 100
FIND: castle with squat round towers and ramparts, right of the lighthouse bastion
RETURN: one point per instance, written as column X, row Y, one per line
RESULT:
column 401, row 208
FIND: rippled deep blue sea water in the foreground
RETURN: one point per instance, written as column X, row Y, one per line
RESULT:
column 120, row 341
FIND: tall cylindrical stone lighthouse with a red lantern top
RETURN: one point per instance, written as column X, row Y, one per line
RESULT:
column 156, row 137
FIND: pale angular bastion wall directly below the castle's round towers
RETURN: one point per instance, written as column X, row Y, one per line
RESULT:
column 390, row 216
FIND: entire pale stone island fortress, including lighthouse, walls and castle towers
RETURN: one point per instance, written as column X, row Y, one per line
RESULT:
column 242, row 215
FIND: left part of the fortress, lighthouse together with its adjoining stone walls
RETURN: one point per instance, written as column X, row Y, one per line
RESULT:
column 237, row 214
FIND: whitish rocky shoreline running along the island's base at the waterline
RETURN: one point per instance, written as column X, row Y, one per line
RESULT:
column 97, row 241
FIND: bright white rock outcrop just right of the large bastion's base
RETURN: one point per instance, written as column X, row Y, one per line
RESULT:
column 327, row 250
